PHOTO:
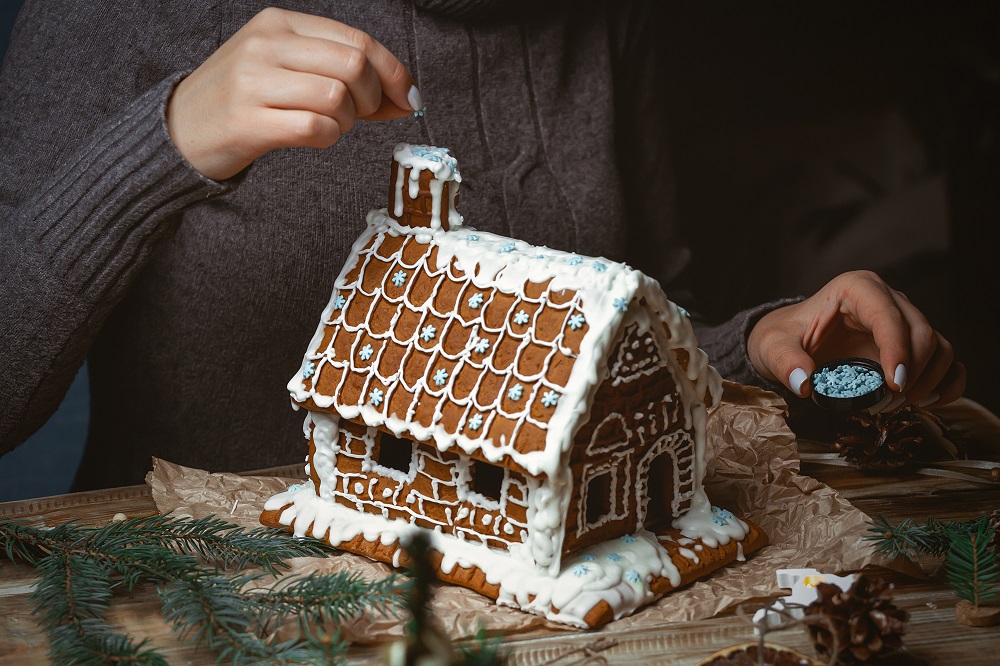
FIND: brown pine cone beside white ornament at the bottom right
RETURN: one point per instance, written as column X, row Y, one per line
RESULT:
column 862, row 623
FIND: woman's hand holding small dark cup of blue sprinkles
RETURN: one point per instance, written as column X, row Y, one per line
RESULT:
column 857, row 314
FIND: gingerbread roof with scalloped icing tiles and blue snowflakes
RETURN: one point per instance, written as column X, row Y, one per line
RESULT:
column 479, row 342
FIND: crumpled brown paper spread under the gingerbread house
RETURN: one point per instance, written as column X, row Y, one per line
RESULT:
column 753, row 470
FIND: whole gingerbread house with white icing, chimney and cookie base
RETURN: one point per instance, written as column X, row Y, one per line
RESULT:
column 540, row 413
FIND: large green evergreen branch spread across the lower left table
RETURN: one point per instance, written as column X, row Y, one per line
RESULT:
column 81, row 566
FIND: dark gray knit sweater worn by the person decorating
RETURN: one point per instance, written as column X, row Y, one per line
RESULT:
column 194, row 300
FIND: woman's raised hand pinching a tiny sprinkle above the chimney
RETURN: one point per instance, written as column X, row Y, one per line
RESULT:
column 284, row 80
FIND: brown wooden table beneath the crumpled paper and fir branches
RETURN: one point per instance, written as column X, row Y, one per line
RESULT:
column 933, row 635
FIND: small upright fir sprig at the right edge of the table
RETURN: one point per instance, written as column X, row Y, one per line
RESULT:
column 972, row 566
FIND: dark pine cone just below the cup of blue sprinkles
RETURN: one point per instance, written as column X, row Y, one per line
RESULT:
column 893, row 441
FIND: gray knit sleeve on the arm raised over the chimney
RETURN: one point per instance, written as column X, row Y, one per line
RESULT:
column 75, row 243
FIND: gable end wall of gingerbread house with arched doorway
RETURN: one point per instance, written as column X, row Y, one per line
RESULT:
column 626, row 433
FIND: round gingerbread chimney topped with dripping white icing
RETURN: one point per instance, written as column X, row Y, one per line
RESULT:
column 423, row 187
